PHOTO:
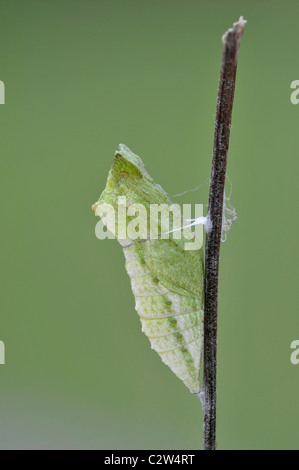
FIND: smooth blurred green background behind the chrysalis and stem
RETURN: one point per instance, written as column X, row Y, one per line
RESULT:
column 81, row 77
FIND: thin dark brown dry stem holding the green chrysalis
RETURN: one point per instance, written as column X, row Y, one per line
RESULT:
column 231, row 42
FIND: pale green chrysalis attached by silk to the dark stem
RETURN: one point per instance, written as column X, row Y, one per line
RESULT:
column 166, row 279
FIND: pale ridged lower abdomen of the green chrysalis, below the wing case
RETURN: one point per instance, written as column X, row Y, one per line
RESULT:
column 171, row 318
